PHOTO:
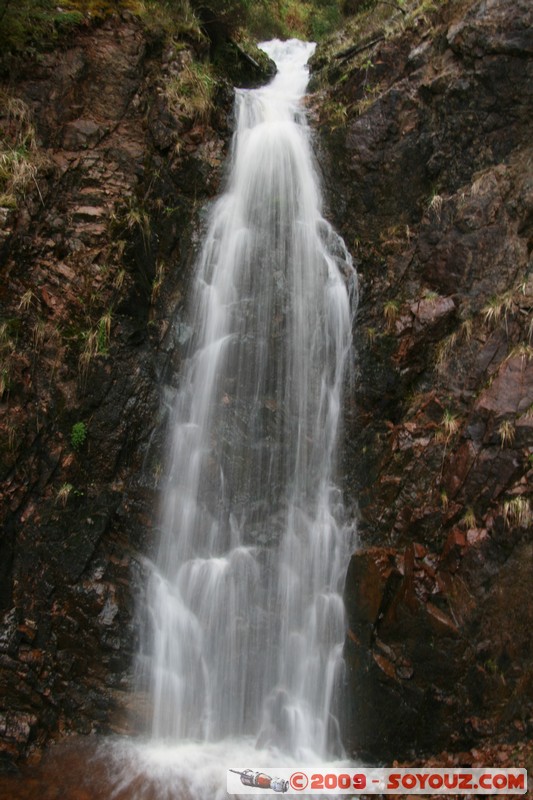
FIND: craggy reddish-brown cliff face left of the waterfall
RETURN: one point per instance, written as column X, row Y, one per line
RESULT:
column 95, row 259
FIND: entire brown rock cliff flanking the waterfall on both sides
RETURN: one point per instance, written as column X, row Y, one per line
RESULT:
column 423, row 120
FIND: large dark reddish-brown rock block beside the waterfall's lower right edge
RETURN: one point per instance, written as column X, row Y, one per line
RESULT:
column 441, row 652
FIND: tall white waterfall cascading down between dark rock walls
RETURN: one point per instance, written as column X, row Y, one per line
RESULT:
column 245, row 617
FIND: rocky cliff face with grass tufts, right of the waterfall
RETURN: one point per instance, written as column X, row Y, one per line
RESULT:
column 425, row 130
